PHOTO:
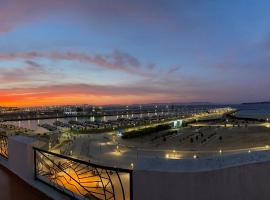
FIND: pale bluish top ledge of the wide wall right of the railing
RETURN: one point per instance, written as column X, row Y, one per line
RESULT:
column 202, row 164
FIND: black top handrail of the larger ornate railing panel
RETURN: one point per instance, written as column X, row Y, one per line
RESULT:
column 85, row 162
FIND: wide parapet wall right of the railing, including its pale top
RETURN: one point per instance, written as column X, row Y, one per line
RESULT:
column 236, row 177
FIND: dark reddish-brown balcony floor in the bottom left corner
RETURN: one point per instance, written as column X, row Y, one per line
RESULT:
column 13, row 188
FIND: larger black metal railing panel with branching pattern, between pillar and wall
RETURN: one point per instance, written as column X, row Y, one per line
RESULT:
column 80, row 179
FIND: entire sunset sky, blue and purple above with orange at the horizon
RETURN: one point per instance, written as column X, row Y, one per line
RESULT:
column 133, row 51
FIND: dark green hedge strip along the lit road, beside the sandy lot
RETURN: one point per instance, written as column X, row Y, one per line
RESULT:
column 145, row 131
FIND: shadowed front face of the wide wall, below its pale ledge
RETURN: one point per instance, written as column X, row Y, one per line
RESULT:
column 246, row 182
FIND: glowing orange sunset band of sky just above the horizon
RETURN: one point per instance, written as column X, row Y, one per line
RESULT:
column 83, row 94
